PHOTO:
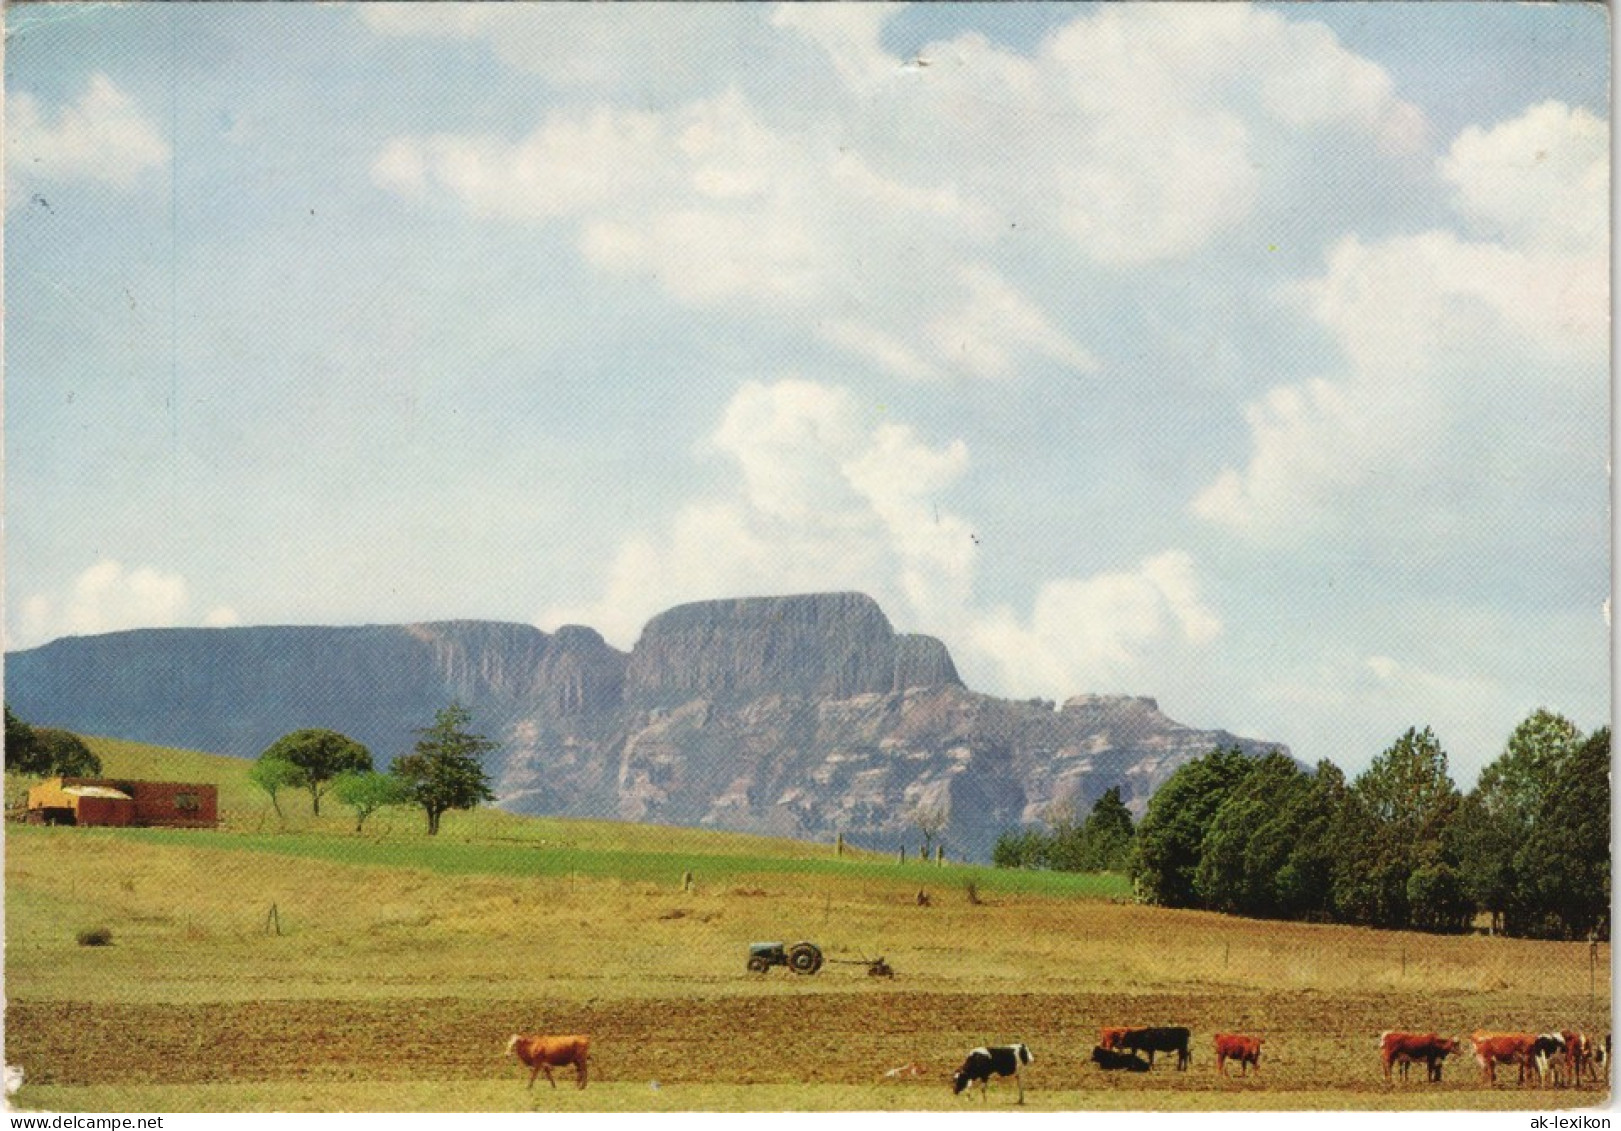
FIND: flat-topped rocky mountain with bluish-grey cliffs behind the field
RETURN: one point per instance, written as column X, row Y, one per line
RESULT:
column 793, row 717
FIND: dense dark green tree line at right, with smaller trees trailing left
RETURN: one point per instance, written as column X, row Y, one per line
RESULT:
column 1398, row 847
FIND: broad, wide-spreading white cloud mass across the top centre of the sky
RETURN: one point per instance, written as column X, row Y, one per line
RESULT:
column 1148, row 147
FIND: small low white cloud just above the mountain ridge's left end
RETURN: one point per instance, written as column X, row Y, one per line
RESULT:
column 109, row 597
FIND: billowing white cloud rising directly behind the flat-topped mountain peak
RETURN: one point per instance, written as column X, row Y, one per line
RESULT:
column 832, row 498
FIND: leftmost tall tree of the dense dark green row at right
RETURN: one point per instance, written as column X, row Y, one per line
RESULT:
column 1171, row 837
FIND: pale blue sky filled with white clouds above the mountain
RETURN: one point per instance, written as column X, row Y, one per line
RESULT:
column 1254, row 359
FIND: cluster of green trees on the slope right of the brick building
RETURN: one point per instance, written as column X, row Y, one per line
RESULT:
column 443, row 772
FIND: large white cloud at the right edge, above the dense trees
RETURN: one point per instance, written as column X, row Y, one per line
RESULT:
column 1445, row 341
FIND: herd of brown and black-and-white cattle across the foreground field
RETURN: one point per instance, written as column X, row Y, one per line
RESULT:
column 1550, row 1057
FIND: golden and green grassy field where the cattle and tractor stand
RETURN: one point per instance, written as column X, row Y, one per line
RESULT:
column 396, row 965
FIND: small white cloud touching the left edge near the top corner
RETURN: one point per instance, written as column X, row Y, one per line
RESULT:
column 101, row 137
